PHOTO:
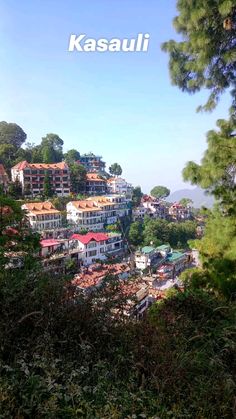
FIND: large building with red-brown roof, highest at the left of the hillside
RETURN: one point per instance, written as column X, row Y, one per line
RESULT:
column 32, row 175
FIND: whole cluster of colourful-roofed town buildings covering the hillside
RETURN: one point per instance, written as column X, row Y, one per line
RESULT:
column 86, row 235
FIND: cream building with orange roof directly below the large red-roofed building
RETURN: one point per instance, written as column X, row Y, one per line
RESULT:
column 42, row 216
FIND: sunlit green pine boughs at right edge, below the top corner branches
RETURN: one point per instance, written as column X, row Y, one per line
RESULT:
column 217, row 171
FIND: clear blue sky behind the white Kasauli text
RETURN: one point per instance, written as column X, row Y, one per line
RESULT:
column 119, row 105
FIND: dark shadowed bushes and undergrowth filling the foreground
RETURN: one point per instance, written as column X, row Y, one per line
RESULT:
column 61, row 360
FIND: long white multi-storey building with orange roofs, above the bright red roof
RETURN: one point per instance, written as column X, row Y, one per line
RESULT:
column 96, row 212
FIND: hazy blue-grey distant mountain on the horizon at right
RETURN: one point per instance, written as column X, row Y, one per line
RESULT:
column 197, row 195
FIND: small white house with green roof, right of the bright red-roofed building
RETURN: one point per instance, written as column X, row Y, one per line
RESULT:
column 147, row 257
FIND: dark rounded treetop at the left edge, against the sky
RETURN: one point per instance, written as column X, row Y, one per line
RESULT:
column 11, row 134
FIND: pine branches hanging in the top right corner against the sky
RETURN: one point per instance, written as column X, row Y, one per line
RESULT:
column 205, row 58
